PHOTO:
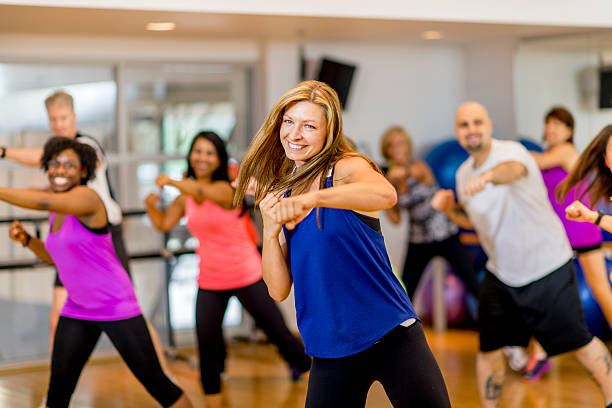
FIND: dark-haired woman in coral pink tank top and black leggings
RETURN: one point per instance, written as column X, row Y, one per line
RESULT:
column 230, row 264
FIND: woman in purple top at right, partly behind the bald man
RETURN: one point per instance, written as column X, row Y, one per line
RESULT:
column 556, row 162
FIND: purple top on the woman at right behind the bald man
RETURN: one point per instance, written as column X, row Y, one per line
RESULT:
column 580, row 234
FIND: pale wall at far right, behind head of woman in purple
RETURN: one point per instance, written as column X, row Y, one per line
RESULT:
column 548, row 73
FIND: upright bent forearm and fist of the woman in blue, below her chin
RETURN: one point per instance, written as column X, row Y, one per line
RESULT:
column 275, row 266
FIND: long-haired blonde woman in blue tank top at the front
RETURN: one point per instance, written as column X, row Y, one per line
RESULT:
column 319, row 201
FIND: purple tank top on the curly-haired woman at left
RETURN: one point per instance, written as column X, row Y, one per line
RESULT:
column 98, row 287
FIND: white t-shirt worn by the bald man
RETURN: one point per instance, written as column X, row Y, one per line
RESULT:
column 515, row 223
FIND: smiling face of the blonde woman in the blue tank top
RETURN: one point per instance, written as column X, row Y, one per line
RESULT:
column 303, row 131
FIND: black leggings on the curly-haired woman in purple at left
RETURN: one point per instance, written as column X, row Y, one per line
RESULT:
column 74, row 342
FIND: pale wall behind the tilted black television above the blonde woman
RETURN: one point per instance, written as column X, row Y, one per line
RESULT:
column 415, row 86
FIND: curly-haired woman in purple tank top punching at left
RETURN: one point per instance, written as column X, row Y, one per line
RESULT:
column 100, row 294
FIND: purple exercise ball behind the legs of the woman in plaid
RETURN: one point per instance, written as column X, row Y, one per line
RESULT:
column 455, row 298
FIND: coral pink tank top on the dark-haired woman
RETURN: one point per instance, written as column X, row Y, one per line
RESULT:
column 228, row 256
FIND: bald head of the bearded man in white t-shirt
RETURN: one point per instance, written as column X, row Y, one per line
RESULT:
column 473, row 127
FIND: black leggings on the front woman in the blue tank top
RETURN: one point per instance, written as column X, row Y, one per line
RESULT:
column 401, row 361
